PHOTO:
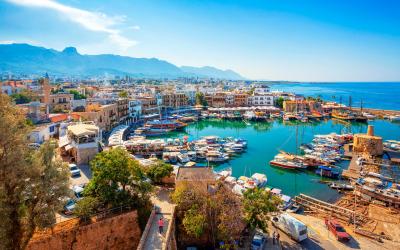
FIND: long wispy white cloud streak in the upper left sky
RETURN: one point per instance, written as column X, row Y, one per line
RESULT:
column 93, row 21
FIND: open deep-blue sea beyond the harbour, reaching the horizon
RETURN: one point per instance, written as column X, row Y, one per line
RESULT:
column 380, row 95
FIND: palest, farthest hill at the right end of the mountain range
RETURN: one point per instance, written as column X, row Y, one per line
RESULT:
column 212, row 72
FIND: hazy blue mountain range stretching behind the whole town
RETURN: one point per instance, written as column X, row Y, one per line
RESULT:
column 29, row 59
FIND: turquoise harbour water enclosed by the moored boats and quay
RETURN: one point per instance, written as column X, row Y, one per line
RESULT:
column 265, row 139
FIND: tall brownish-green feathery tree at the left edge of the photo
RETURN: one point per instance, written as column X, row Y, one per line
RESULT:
column 32, row 183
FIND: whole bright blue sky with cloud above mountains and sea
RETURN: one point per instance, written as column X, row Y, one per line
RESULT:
column 303, row 40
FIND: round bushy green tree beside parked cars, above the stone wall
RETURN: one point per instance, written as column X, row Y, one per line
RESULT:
column 117, row 179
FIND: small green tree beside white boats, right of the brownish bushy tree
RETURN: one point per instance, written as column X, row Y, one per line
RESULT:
column 258, row 203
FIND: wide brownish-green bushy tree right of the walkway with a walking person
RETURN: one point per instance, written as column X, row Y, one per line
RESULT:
column 217, row 214
